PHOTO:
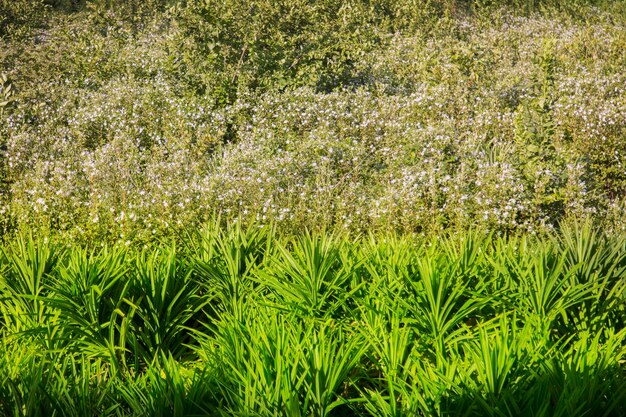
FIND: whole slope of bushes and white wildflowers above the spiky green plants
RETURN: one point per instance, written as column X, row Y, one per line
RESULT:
column 129, row 120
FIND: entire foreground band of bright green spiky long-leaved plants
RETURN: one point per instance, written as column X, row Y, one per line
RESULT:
column 241, row 321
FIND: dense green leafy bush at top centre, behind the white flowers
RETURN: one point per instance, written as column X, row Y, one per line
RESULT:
column 269, row 44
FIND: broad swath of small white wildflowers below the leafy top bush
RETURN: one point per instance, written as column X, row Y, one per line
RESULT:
column 429, row 144
